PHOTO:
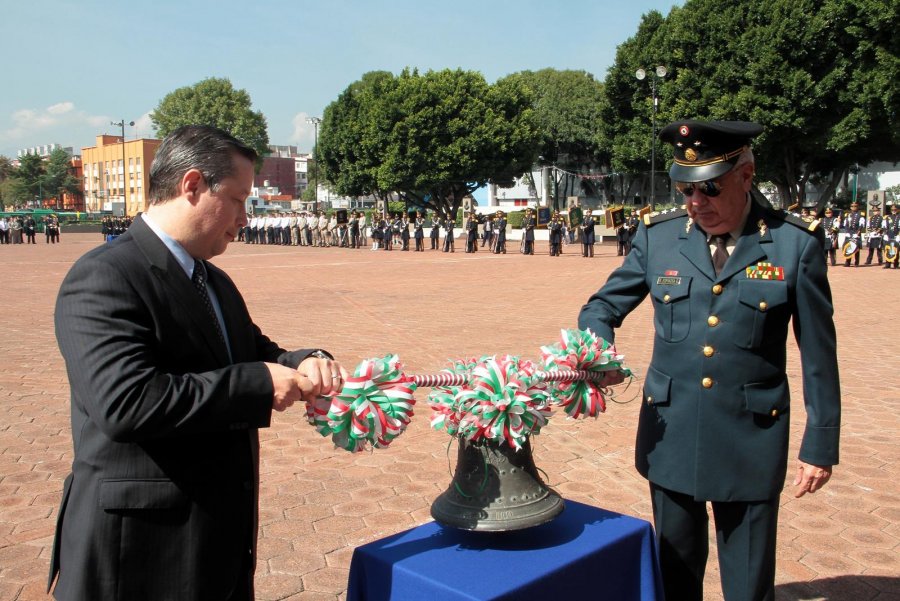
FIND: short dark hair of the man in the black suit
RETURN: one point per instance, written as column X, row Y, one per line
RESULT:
column 207, row 149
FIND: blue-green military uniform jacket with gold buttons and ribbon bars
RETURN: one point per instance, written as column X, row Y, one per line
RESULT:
column 715, row 418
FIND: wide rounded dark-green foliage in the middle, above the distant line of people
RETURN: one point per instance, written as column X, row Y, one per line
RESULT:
column 432, row 138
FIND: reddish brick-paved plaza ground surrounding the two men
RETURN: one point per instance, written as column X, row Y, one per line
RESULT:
column 318, row 503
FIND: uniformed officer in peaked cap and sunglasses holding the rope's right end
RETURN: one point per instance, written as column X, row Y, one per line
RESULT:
column 726, row 274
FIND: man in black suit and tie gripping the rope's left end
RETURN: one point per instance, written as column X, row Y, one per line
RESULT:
column 170, row 382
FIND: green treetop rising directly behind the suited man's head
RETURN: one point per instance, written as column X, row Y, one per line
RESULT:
column 213, row 102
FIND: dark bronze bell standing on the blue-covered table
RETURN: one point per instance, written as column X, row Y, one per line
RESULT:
column 495, row 488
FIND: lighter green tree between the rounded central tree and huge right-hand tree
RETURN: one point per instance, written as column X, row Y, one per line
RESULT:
column 567, row 110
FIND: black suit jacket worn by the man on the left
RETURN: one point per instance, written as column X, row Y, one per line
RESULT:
column 162, row 499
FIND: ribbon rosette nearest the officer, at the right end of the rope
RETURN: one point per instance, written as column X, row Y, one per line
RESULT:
column 581, row 350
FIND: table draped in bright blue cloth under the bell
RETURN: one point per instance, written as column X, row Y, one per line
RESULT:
column 585, row 553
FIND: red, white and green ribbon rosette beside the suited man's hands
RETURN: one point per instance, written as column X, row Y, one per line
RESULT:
column 374, row 406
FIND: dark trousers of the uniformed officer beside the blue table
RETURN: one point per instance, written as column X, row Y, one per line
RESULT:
column 745, row 536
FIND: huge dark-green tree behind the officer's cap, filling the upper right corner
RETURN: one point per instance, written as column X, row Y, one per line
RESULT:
column 820, row 76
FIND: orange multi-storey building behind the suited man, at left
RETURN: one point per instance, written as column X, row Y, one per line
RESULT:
column 117, row 173
